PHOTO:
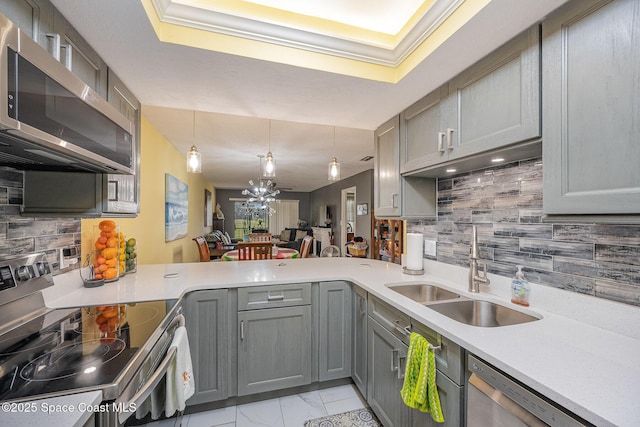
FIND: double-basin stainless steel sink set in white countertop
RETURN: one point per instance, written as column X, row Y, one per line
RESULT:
column 468, row 311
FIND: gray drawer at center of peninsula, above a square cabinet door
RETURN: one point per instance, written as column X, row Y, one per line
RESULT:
column 258, row 297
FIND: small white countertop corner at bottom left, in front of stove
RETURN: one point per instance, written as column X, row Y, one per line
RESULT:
column 66, row 411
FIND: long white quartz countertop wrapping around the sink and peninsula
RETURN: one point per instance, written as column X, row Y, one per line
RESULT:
column 584, row 353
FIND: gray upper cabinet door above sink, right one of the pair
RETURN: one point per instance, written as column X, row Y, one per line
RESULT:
column 496, row 102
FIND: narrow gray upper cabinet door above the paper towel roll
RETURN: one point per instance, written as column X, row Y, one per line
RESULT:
column 387, row 196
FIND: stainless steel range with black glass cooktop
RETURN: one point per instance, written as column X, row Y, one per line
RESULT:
column 121, row 350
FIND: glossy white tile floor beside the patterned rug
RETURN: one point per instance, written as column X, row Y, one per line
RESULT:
column 288, row 411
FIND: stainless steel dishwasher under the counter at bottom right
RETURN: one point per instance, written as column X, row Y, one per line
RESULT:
column 497, row 400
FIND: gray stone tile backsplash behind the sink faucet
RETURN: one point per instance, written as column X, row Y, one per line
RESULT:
column 505, row 203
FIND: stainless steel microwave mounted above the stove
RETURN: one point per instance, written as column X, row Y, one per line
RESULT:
column 52, row 120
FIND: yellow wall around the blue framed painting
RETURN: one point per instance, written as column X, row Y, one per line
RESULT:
column 159, row 157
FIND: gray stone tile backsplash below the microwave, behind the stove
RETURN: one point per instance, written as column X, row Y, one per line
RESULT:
column 22, row 235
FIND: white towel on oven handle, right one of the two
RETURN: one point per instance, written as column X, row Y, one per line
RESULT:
column 180, row 381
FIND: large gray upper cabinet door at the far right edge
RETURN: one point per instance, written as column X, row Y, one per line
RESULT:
column 591, row 115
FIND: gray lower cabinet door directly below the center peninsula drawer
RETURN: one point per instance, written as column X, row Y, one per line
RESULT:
column 274, row 349
